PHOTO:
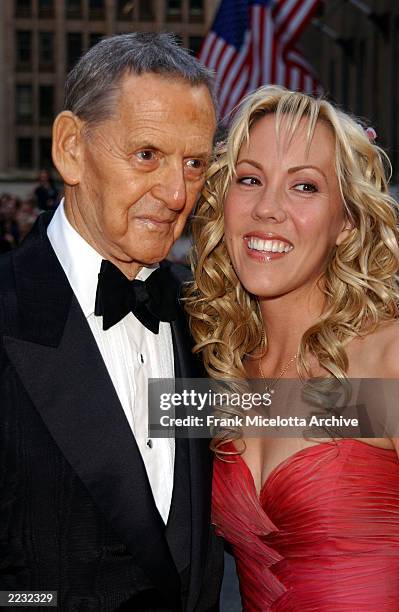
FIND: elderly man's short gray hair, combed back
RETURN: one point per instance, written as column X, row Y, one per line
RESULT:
column 92, row 85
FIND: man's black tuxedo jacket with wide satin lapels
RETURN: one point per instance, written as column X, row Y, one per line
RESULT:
column 77, row 513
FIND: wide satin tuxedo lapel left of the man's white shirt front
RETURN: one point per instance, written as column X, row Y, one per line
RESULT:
column 61, row 368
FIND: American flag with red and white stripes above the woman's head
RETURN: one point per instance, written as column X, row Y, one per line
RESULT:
column 252, row 43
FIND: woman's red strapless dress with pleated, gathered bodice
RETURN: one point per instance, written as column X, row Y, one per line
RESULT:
column 322, row 536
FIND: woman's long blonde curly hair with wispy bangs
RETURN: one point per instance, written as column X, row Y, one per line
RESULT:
column 360, row 282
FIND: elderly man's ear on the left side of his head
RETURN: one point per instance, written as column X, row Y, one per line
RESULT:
column 67, row 147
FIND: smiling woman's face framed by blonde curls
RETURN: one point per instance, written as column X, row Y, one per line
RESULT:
column 283, row 210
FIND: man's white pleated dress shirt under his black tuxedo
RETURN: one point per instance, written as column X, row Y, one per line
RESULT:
column 131, row 352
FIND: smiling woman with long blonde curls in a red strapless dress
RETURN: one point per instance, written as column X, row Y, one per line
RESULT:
column 296, row 256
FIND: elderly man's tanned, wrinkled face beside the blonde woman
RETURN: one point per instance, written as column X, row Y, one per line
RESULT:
column 142, row 169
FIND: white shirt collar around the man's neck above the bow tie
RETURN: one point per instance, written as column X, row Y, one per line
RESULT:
column 80, row 261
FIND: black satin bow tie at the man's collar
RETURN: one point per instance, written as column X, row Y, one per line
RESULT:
column 150, row 301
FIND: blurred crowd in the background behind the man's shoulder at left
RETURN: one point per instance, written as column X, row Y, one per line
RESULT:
column 17, row 215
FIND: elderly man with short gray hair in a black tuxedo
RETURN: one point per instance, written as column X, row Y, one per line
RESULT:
column 90, row 506
